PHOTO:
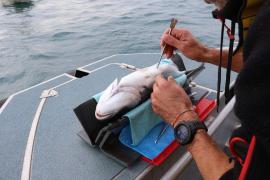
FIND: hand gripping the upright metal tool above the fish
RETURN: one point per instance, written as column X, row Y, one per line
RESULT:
column 185, row 42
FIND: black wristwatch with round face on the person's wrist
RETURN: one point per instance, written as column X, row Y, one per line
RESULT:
column 185, row 131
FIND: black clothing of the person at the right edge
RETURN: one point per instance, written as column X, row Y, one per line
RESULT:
column 252, row 90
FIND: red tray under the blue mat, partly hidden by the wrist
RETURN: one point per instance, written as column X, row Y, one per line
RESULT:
column 203, row 108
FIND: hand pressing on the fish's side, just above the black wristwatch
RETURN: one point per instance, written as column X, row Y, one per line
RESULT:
column 169, row 100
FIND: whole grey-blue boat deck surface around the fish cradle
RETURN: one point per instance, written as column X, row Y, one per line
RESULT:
column 58, row 152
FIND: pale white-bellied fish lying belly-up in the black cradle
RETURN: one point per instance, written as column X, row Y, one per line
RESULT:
column 131, row 90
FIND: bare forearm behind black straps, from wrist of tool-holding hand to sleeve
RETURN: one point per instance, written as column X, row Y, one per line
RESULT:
column 211, row 56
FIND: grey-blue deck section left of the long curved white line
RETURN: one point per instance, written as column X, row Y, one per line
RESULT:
column 16, row 120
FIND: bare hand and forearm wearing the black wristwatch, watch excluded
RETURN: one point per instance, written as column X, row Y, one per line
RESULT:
column 168, row 100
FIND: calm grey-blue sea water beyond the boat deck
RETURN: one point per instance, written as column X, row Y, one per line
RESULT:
column 46, row 38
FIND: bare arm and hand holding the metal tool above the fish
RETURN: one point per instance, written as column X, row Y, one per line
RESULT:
column 186, row 43
